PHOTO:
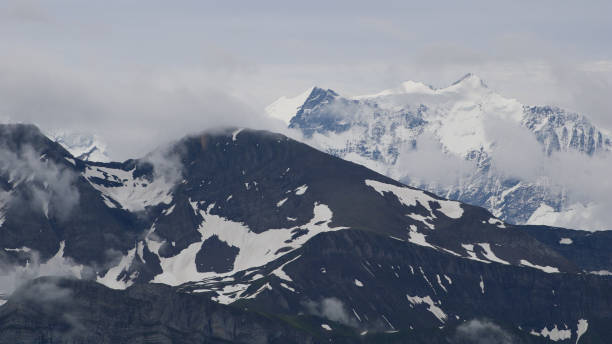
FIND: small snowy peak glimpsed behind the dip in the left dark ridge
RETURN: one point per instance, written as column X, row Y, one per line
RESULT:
column 82, row 145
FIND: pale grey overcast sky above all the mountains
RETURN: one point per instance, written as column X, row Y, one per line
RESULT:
column 141, row 72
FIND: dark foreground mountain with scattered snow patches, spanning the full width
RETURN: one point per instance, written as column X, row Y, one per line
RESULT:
column 249, row 236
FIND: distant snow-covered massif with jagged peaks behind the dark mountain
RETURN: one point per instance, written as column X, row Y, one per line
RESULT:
column 471, row 135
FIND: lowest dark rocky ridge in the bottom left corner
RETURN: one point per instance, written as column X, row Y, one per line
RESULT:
column 51, row 310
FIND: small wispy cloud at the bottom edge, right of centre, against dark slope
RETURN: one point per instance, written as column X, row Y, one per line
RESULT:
column 482, row 332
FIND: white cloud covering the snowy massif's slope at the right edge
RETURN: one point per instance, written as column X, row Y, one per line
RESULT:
column 582, row 180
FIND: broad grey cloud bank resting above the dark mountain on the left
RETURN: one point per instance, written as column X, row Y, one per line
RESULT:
column 134, row 108
